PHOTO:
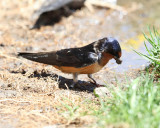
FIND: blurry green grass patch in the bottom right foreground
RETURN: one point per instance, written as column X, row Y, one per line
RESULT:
column 138, row 105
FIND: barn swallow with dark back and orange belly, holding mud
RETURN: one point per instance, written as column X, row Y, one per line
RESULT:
column 84, row 60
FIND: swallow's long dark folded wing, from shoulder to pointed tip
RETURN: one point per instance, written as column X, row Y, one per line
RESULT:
column 67, row 57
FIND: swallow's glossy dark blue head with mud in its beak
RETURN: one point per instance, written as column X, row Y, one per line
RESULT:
column 110, row 45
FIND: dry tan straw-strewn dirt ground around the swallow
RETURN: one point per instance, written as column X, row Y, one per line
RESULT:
column 35, row 95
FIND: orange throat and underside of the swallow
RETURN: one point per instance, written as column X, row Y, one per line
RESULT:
column 93, row 68
